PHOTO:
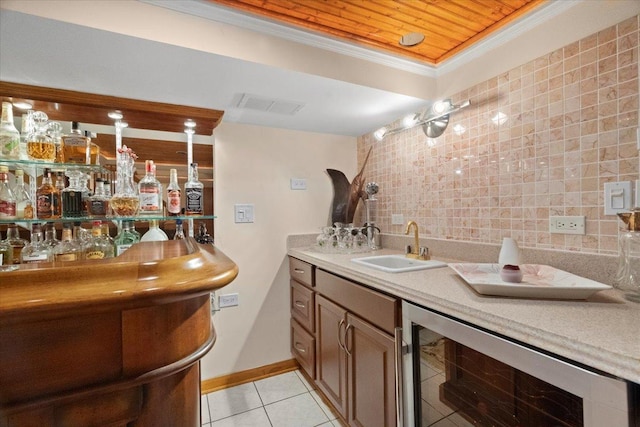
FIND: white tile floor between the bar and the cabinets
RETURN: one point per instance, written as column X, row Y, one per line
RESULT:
column 285, row 400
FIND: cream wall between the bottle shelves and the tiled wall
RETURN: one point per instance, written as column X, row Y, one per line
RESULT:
column 254, row 165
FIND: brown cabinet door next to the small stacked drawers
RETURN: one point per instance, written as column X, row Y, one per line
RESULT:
column 331, row 361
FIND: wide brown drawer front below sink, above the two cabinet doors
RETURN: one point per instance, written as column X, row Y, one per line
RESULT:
column 375, row 307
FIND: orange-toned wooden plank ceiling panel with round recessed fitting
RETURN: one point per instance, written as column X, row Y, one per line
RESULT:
column 449, row 26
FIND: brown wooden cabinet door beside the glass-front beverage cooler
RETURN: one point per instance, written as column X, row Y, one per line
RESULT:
column 371, row 375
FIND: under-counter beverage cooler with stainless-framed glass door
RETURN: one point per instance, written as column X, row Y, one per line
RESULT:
column 452, row 374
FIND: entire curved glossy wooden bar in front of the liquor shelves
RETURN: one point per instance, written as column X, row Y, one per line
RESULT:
column 109, row 343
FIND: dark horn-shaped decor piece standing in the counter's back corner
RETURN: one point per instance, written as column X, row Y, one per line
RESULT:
column 346, row 196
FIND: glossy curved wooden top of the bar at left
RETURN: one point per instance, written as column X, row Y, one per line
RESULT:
column 148, row 273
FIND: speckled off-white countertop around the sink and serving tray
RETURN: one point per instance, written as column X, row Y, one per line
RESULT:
column 602, row 332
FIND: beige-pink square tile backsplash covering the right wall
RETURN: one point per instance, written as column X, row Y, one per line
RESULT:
column 538, row 140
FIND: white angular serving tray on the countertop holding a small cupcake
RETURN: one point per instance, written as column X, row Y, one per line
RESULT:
column 538, row 281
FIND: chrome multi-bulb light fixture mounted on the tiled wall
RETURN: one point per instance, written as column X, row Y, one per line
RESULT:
column 434, row 121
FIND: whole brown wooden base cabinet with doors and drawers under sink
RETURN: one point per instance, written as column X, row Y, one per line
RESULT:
column 354, row 345
